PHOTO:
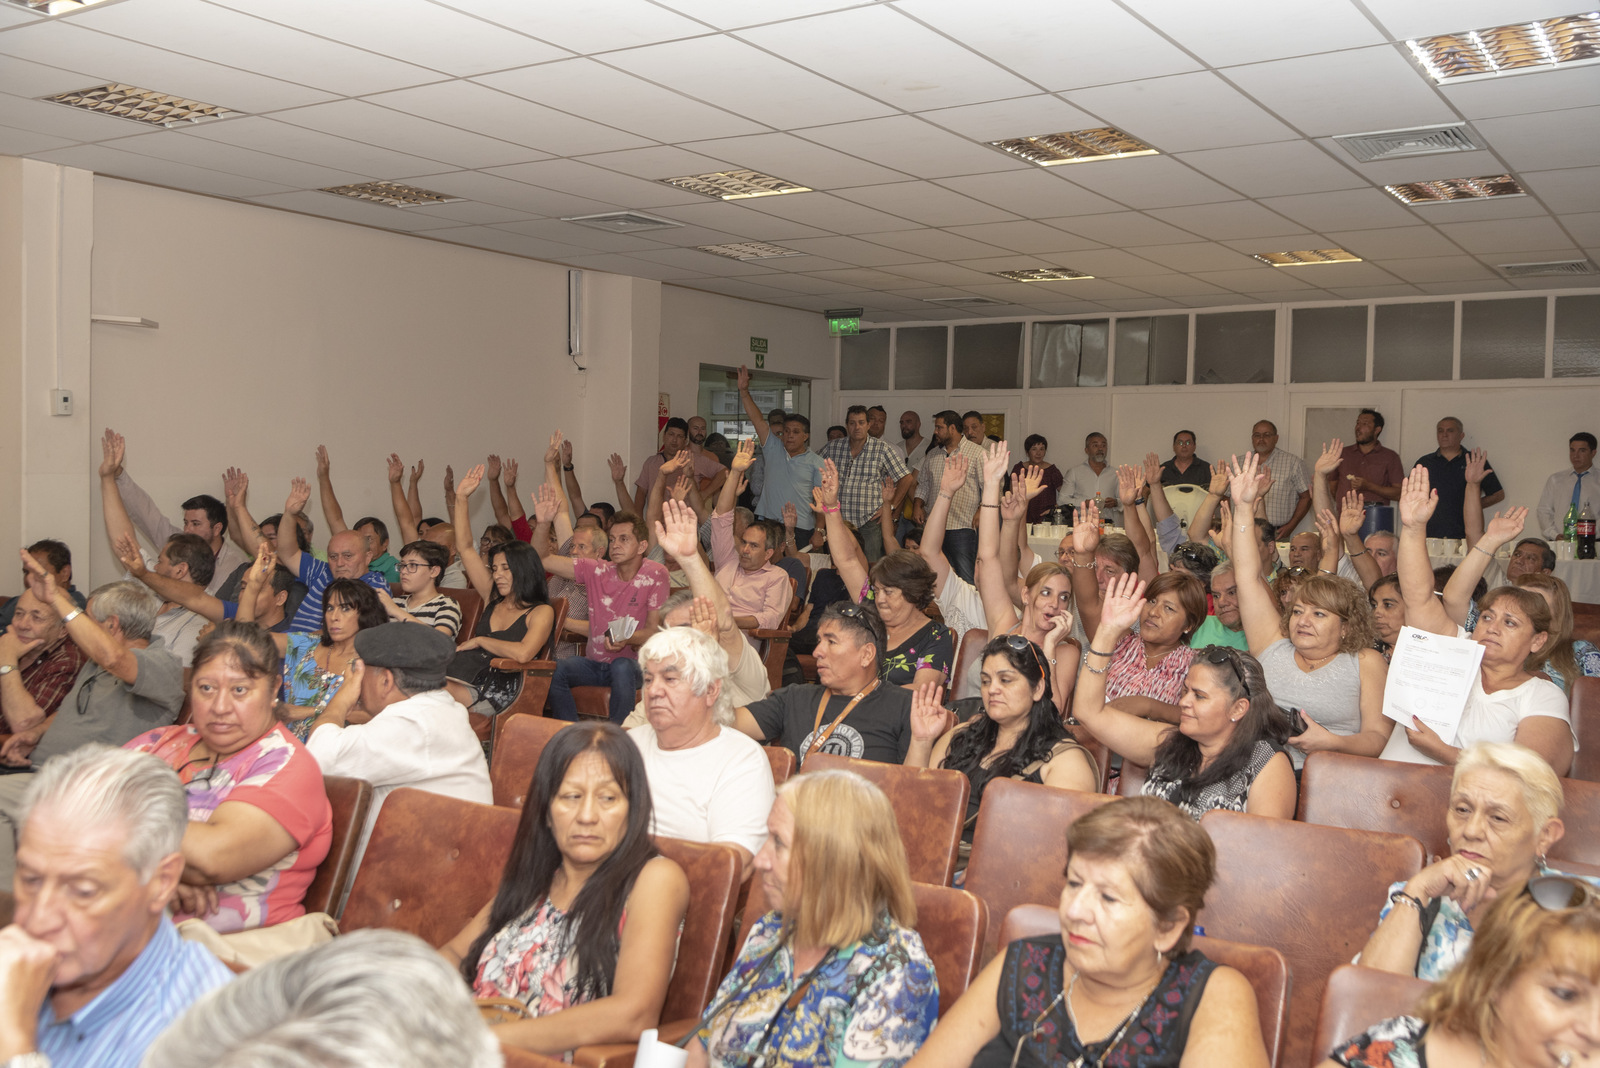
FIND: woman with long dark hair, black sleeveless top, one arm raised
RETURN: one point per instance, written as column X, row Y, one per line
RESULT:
column 516, row 620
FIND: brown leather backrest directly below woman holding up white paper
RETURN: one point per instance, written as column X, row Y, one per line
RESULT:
column 1377, row 795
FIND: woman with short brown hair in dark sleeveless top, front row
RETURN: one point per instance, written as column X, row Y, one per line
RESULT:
column 1121, row 984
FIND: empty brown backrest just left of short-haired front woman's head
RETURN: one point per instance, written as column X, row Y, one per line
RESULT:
column 1020, row 847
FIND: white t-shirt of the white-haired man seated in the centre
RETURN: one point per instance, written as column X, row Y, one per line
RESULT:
column 719, row 792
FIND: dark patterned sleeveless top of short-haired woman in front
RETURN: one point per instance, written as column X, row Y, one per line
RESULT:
column 1034, row 974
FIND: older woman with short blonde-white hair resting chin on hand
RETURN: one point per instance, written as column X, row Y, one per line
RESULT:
column 1505, row 816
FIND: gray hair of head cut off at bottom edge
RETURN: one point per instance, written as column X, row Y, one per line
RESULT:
column 366, row 998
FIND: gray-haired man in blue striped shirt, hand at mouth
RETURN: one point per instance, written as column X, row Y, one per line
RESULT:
column 92, row 970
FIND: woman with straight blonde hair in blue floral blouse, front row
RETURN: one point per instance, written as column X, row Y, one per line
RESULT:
column 833, row 974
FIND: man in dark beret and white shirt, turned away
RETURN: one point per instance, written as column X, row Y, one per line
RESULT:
column 417, row 735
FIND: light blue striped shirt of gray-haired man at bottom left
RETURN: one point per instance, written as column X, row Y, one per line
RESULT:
column 114, row 1030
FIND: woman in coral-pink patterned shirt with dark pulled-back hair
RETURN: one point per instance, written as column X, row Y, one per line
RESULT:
column 258, row 815
